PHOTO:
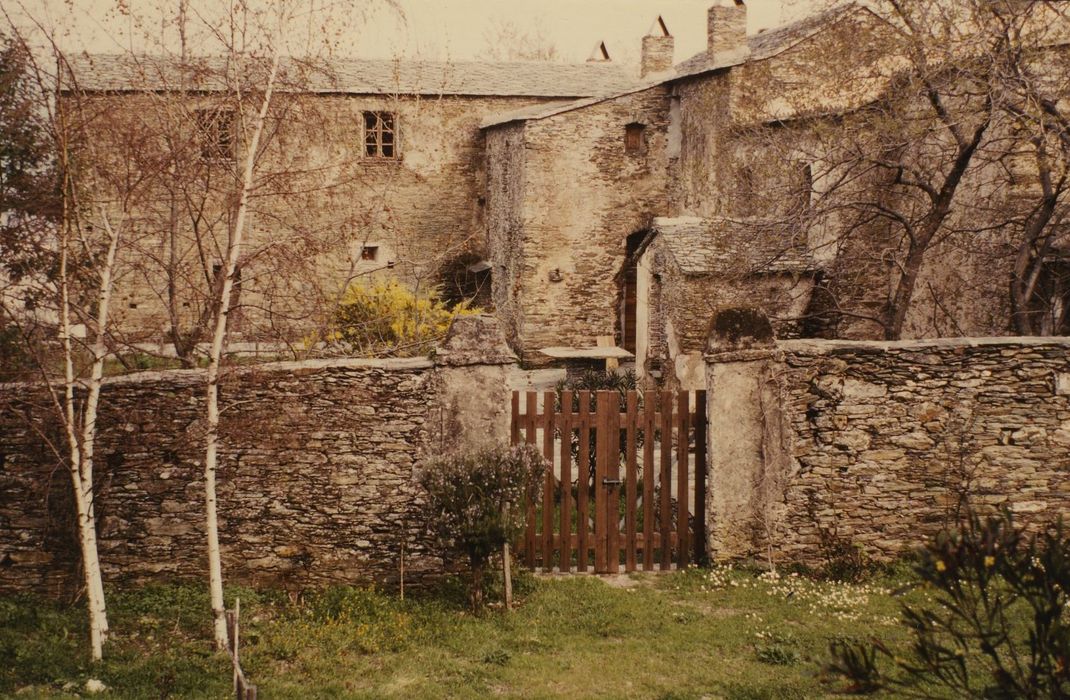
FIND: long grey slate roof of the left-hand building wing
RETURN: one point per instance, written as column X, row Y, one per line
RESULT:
column 123, row 73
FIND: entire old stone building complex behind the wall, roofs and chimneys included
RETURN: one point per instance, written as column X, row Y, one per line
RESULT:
column 606, row 205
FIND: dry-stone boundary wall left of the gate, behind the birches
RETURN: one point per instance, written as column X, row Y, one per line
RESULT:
column 316, row 481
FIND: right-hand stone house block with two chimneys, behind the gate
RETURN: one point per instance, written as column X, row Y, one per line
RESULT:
column 716, row 184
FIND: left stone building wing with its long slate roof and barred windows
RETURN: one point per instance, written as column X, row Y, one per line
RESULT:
column 370, row 169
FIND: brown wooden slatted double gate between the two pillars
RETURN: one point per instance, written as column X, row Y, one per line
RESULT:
column 629, row 485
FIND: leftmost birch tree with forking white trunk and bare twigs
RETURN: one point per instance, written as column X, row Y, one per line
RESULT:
column 68, row 266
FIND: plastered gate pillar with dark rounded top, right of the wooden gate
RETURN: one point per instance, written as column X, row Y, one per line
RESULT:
column 748, row 452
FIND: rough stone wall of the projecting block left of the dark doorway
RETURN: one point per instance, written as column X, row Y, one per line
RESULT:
column 576, row 196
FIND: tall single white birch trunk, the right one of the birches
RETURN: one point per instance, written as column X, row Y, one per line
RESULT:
column 216, row 356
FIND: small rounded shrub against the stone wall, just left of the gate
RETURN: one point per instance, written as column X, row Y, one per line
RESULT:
column 476, row 503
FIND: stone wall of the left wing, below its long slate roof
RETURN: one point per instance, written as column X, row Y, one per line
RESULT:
column 322, row 202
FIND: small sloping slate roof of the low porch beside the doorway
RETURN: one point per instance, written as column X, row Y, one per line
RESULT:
column 721, row 247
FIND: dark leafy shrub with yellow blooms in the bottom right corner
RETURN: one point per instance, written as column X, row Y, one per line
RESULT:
column 998, row 629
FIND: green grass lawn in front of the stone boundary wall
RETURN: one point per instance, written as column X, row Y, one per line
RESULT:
column 696, row 634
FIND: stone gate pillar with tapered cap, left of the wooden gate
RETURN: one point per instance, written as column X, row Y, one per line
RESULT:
column 472, row 372
